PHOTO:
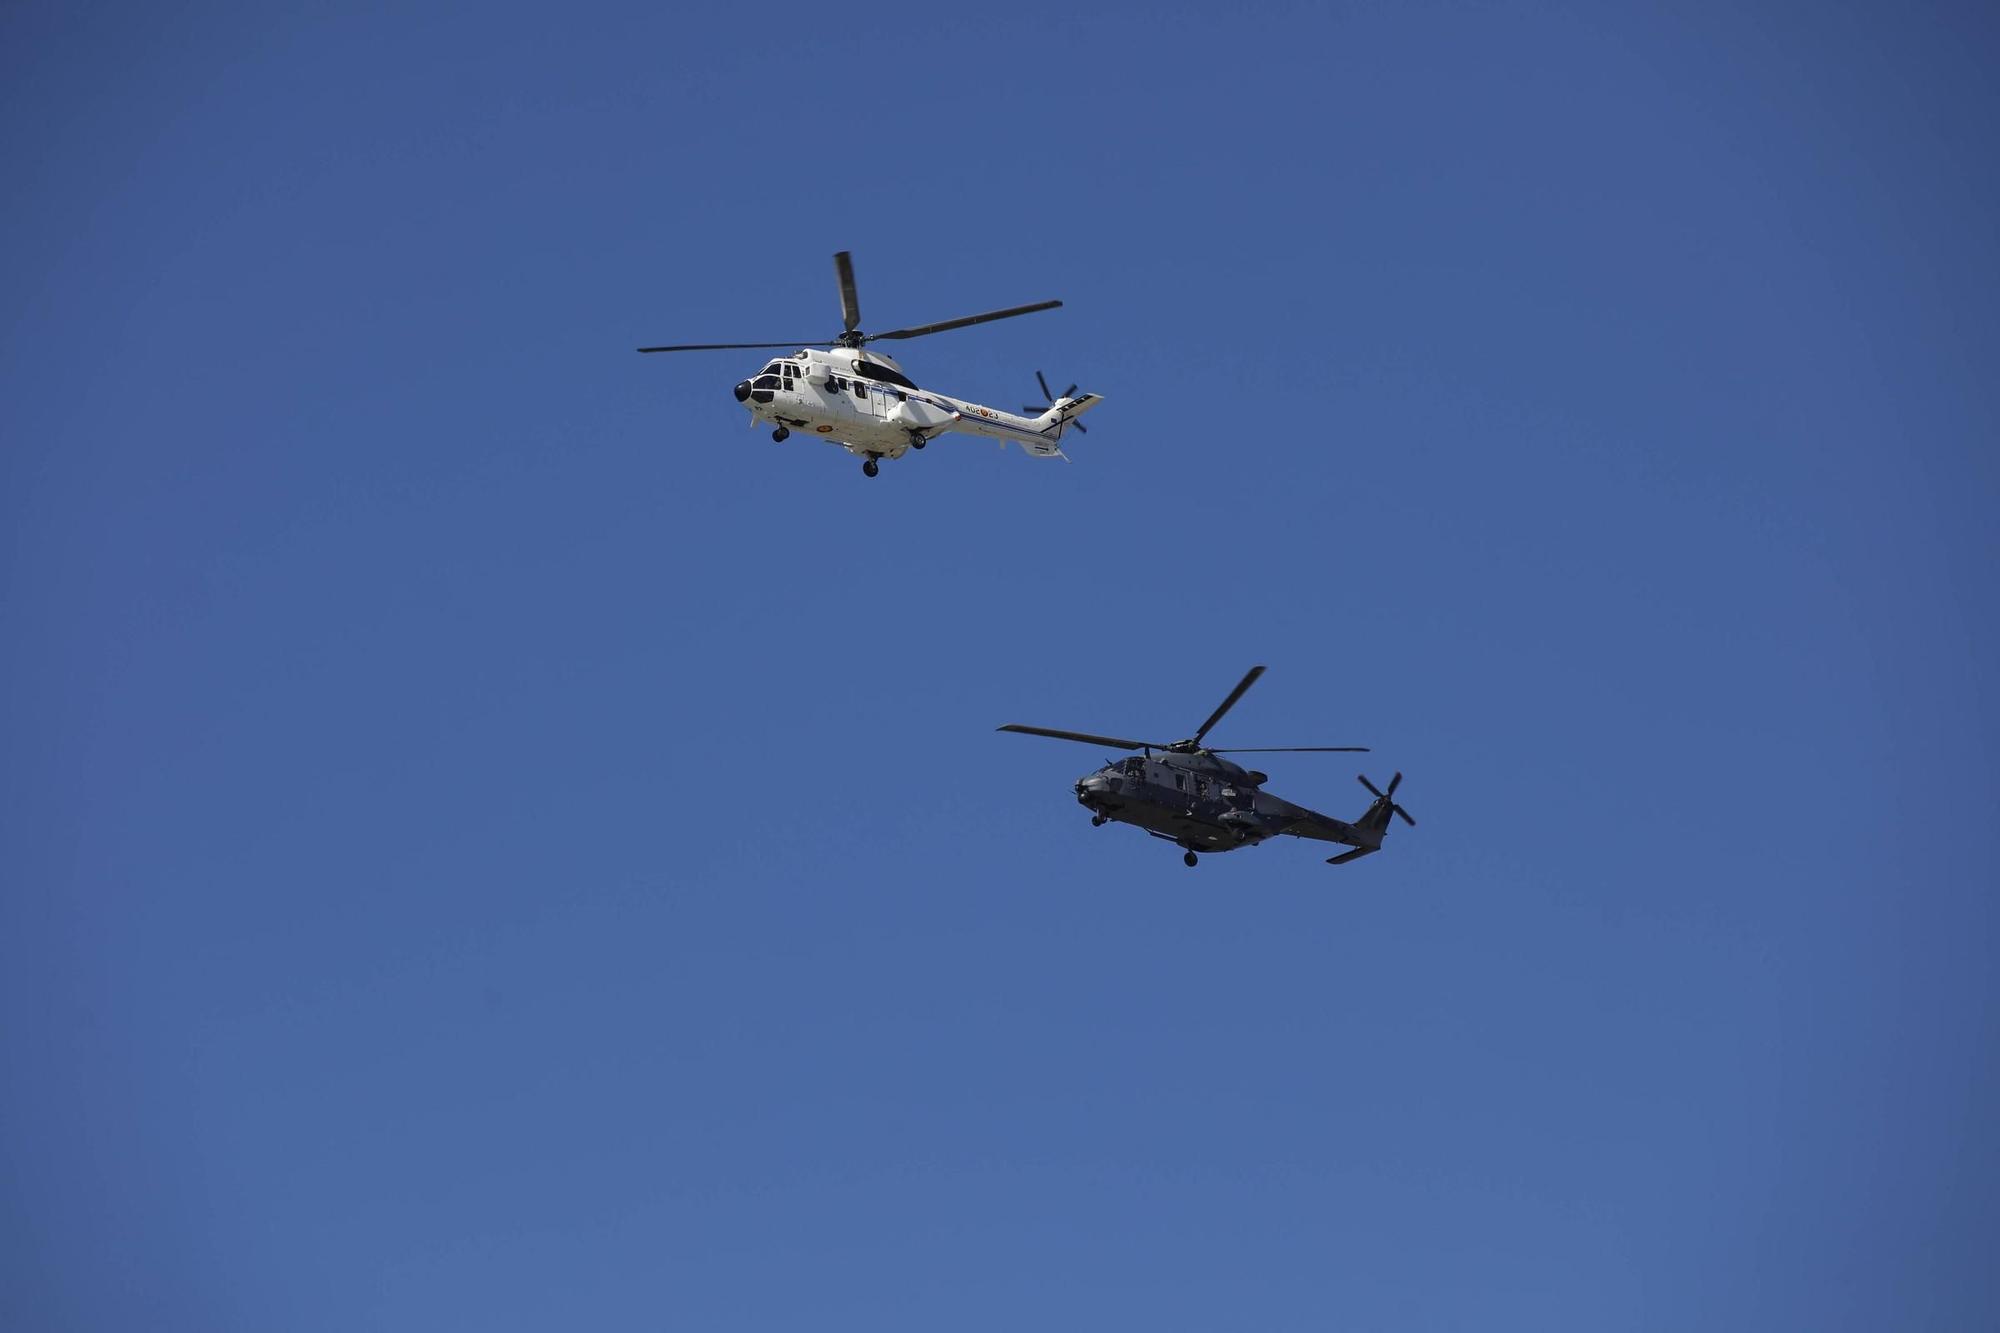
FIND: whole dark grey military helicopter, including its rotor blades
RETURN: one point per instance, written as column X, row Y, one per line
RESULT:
column 1201, row 802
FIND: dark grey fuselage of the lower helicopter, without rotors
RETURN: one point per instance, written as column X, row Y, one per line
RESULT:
column 1203, row 802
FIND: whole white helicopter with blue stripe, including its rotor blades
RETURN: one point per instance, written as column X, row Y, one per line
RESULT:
column 865, row 403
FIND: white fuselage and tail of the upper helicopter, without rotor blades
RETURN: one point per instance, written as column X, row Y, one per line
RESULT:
column 867, row 405
